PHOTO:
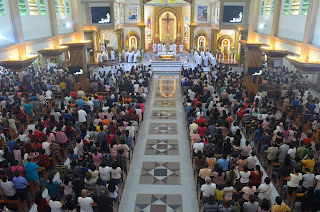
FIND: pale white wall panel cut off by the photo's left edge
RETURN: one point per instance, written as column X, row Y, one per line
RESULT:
column 6, row 32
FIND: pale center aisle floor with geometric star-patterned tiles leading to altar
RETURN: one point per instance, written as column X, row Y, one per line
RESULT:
column 161, row 176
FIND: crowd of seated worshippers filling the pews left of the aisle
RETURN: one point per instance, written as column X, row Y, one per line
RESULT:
column 76, row 145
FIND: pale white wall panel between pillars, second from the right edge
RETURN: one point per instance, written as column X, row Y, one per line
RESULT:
column 291, row 26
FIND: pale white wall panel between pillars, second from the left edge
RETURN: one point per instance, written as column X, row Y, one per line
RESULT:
column 36, row 26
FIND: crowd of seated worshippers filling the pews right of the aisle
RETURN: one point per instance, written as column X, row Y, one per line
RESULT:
column 231, row 130
